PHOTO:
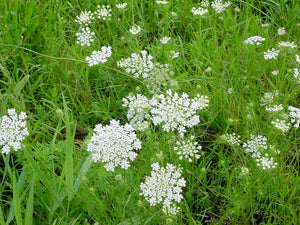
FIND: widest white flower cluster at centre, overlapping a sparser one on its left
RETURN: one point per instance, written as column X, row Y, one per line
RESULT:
column 176, row 113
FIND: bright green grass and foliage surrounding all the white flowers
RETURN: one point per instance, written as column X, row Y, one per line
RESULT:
column 53, row 180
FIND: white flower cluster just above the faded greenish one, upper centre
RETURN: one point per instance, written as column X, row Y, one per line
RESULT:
column 138, row 65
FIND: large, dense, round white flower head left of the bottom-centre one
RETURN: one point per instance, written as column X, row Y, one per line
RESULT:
column 113, row 144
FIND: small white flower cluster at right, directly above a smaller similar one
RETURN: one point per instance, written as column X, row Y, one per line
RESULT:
column 256, row 145
